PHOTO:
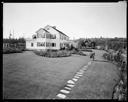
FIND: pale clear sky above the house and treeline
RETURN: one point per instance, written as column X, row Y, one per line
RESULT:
column 77, row 20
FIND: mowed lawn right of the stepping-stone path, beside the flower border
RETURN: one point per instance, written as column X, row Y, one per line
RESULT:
column 97, row 82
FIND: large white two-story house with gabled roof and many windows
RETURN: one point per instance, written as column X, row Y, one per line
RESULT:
column 47, row 38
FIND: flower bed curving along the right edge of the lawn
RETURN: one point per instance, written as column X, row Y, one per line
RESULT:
column 120, row 89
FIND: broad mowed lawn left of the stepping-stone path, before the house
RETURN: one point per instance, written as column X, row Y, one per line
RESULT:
column 29, row 76
